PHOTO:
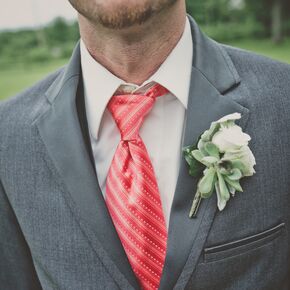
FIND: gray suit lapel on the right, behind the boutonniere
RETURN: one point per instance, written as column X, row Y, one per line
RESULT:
column 212, row 74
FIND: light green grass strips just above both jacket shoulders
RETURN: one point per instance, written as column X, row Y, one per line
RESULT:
column 16, row 78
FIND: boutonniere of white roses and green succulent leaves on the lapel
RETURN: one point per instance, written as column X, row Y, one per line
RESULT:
column 223, row 157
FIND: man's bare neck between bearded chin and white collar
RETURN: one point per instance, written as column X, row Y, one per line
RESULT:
column 134, row 54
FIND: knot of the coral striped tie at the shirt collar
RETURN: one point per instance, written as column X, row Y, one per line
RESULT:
column 129, row 110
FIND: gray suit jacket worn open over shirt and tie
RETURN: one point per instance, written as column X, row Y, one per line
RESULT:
column 55, row 230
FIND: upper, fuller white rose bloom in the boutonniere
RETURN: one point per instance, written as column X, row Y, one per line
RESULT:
column 230, row 138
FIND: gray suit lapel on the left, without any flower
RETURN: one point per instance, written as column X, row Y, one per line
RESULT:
column 61, row 133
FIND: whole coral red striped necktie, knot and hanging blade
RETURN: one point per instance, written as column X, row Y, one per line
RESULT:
column 132, row 194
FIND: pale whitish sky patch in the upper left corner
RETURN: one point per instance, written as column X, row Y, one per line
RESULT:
column 30, row 13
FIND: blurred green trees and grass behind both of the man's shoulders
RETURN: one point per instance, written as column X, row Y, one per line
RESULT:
column 262, row 26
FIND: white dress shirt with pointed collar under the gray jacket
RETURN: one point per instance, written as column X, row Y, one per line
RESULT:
column 162, row 130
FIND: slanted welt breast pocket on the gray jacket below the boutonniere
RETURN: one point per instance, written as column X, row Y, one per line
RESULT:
column 243, row 245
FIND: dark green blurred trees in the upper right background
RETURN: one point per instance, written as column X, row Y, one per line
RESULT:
column 272, row 15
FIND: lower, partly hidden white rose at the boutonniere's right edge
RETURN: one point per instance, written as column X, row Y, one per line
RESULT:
column 245, row 156
